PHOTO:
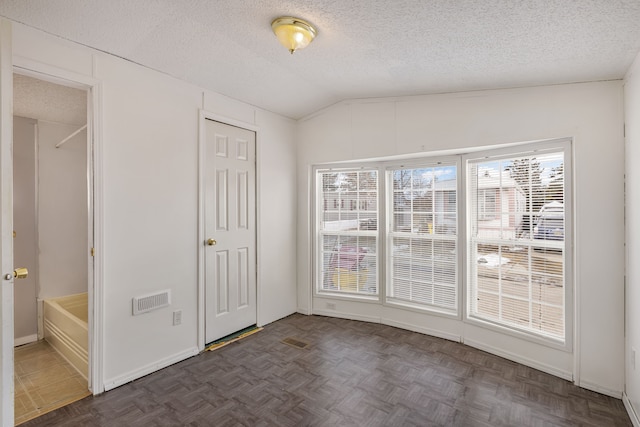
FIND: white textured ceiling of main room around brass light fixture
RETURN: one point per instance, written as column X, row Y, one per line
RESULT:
column 365, row 48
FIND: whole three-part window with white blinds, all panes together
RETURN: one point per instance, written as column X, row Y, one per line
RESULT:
column 391, row 233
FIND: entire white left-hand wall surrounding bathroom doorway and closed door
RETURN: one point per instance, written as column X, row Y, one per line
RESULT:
column 150, row 217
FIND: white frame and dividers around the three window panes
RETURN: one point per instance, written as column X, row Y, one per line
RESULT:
column 463, row 216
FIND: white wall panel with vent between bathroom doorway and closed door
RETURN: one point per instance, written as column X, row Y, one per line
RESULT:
column 150, row 212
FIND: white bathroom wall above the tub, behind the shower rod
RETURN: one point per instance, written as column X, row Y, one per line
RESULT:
column 63, row 248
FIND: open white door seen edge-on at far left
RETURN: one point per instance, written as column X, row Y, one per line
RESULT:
column 6, row 222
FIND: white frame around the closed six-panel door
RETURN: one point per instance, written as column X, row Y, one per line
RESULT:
column 203, row 116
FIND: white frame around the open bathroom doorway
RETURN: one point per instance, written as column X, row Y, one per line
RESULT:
column 53, row 74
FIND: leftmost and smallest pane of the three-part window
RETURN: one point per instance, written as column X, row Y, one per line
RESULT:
column 347, row 231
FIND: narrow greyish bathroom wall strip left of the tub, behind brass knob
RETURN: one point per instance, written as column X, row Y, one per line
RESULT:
column 24, row 224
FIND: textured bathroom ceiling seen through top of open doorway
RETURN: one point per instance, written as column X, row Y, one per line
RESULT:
column 37, row 99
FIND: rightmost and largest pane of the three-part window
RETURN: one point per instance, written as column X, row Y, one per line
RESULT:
column 517, row 256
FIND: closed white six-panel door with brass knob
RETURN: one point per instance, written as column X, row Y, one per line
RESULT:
column 230, row 229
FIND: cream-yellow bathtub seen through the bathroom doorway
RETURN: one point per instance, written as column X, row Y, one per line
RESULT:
column 66, row 329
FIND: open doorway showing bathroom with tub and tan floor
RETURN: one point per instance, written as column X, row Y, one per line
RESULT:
column 53, row 227
